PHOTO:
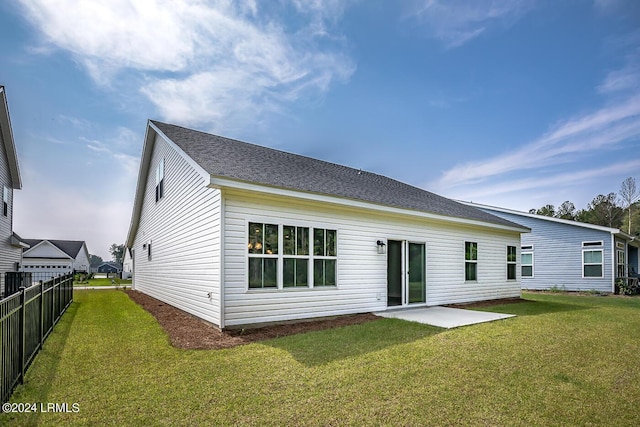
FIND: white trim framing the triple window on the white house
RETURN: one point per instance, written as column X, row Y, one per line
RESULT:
column 280, row 256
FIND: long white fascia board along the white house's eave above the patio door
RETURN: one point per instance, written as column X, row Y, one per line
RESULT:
column 221, row 183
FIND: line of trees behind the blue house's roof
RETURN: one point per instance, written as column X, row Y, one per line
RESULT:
column 616, row 210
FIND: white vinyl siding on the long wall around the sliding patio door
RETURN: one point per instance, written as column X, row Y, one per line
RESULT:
column 361, row 272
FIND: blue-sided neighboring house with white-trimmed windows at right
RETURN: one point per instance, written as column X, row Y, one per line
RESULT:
column 571, row 255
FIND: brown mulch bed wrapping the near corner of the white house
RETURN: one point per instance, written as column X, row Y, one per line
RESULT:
column 188, row 332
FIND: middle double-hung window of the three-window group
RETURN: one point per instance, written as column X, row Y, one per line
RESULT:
column 296, row 256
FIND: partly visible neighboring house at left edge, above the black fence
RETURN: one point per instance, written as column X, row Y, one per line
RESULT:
column 11, row 244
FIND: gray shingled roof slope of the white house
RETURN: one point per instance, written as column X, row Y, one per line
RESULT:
column 228, row 158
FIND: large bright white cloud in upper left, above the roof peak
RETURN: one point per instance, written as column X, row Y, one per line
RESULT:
column 213, row 62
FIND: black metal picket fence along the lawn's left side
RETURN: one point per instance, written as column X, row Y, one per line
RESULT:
column 26, row 320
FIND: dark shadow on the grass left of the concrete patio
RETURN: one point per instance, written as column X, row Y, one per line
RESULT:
column 322, row 347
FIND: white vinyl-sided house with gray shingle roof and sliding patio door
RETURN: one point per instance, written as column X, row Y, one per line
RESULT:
column 239, row 234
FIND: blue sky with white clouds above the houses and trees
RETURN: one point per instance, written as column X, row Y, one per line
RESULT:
column 515, row 103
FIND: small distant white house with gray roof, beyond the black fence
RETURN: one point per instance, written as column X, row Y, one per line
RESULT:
column 52, row 258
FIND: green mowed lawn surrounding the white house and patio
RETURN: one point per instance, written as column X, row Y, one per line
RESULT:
column 565, row 360
